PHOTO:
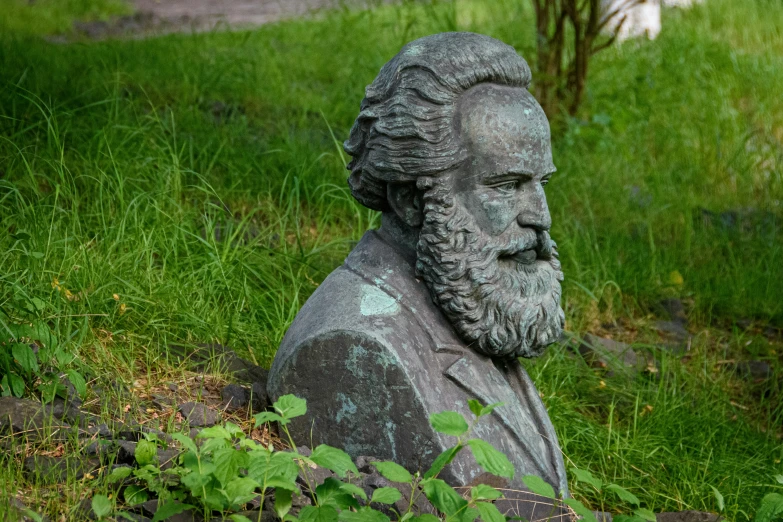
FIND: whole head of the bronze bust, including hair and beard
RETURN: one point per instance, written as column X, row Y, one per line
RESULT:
column 450, row 143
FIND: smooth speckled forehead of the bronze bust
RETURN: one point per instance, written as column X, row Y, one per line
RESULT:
column 504, row 127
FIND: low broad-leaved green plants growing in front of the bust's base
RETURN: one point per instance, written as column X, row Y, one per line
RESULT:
column 223, row 470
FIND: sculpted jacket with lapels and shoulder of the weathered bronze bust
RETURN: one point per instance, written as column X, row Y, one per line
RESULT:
column 375, row 357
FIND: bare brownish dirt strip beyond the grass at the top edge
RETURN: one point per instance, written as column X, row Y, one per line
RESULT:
column 155, row 17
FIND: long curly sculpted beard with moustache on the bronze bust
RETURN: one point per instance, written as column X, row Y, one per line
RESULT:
column 498, row 306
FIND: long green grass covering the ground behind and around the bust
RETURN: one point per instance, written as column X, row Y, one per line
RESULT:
column 200, row 178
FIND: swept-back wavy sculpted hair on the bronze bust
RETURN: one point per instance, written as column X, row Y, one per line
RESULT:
column 405, row 129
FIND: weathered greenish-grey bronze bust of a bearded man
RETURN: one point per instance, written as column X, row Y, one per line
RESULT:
column 462, row 278
